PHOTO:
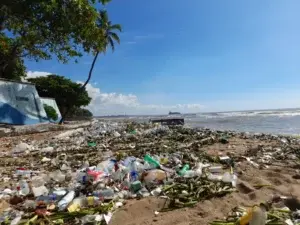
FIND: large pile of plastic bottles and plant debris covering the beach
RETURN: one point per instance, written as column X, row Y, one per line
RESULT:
column 77, row 177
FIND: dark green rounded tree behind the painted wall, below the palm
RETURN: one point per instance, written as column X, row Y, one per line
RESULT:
column 66, row 92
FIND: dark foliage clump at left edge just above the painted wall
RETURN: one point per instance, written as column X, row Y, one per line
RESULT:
column 10, row 67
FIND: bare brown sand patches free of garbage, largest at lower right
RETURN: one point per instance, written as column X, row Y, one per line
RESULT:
column 279, row 177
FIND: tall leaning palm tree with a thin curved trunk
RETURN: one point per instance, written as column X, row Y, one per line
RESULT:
column 110, row 37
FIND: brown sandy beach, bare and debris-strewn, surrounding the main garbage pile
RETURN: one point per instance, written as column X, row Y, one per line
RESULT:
column 277, row 177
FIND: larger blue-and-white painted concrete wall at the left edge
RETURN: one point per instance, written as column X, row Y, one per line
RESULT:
column 20, row 104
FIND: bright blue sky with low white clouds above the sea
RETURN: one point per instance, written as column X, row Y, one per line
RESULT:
column 193, row 56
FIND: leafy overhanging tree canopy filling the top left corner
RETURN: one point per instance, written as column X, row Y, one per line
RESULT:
column 63, row 28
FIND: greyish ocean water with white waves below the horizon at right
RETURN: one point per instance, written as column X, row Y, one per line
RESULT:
column 282, row 121
